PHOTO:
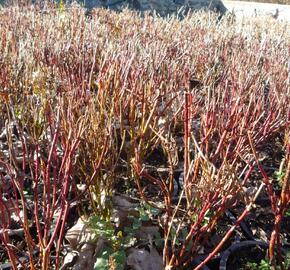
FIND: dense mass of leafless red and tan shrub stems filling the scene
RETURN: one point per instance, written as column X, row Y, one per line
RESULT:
column 81, row 97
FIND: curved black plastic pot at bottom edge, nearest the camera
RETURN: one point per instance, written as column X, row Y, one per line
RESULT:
column 248, row 250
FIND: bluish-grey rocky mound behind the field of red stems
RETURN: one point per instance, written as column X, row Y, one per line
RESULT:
column 162, row 7
